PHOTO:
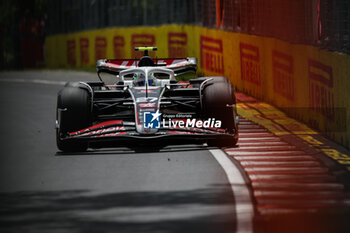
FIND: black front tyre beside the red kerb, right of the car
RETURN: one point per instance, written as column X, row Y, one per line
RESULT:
column 218, row 100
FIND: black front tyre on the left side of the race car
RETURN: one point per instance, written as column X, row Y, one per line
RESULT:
column 73, row 113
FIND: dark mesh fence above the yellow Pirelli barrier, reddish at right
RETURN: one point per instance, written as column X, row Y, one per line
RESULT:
column 324, row 23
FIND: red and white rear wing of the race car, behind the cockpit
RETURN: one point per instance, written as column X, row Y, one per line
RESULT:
column 178, row 65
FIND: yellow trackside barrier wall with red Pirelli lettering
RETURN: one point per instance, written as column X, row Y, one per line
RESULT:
column 310, row 84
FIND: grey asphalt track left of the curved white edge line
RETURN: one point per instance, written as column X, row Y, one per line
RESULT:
column 177, row 189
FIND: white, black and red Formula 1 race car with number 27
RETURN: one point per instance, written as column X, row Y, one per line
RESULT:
column 140, row 102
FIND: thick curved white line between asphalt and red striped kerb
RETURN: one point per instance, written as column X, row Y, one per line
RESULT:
column 244, row 205
